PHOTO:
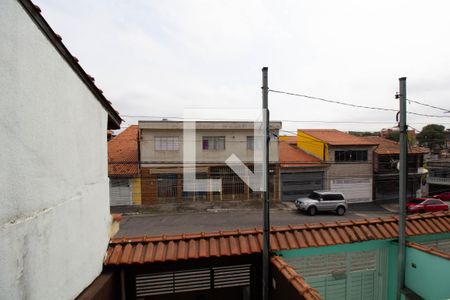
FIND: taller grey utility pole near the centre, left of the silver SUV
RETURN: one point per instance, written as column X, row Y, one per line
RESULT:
column 265, row 168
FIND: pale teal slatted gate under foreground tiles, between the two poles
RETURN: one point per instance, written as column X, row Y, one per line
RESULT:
column 351, row 275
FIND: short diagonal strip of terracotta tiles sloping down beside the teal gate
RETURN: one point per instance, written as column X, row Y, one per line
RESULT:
column 297, row 281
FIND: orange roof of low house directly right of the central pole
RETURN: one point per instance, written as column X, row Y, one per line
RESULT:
column 291, row 156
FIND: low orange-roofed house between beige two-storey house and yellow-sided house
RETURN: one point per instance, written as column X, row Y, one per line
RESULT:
column 300, row 172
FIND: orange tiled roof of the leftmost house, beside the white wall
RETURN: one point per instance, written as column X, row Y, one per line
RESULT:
column 123, row 154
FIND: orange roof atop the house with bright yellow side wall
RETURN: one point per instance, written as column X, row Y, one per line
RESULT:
column 335, row 137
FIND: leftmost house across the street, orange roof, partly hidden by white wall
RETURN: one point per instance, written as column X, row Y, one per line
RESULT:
column 123, row 168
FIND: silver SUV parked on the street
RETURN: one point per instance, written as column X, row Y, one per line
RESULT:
column 322, row 201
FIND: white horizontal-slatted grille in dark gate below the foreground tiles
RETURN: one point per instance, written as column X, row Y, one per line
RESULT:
column 192, row 280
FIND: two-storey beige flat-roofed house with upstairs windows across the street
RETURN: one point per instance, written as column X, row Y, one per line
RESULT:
column 161, row 159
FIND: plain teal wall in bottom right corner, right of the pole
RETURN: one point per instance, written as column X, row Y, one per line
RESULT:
column 430, row 278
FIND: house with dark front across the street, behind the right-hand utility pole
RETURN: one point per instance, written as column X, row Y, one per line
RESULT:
column 386, row 175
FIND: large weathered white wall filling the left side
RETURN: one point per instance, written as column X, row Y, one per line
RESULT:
column 54, row 214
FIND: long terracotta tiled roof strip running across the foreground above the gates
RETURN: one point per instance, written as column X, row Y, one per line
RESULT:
column 163, row 248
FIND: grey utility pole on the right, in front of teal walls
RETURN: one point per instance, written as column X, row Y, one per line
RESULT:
column 402, row 189
